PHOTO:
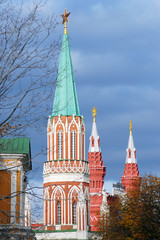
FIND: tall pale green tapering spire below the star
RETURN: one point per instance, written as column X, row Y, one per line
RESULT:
column 65, row 100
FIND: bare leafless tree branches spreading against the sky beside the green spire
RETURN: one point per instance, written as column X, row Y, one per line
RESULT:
column 28, row 64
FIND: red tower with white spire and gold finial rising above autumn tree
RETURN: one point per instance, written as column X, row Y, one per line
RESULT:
column 131, row 178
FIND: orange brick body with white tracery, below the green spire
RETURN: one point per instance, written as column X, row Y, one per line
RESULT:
column 71, row 168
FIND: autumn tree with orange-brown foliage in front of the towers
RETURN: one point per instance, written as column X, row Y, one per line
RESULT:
column 136, row 216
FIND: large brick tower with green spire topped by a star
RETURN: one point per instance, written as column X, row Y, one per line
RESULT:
column 66, row 173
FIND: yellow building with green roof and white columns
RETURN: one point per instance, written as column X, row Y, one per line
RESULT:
column 15, row 161
